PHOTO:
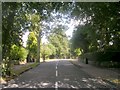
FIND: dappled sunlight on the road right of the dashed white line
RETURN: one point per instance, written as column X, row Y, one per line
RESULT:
column 83, row 83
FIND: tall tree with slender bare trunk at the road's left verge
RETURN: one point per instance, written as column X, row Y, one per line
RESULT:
column 37, row 12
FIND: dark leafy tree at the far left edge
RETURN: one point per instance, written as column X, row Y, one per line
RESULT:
column 12, row 24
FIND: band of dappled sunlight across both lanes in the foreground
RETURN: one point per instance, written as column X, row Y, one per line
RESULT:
column 63, row 83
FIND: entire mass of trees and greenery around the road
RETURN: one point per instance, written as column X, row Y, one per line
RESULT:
column 96, row 37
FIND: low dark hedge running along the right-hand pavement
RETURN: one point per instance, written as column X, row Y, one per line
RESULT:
column 104, row 58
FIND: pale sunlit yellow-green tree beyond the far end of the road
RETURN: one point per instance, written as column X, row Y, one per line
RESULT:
column 60, row 41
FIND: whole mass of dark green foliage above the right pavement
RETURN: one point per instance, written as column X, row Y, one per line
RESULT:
column 100, row 31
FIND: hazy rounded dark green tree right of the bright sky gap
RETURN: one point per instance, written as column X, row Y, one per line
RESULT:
column 80, row 39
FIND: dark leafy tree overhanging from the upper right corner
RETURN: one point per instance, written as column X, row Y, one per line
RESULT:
column 103, row 19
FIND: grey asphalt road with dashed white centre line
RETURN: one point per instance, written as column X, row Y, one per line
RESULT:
column 57, row 74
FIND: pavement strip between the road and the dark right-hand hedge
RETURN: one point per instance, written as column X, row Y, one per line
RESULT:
column 107, row 74
